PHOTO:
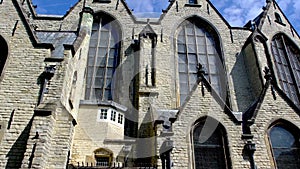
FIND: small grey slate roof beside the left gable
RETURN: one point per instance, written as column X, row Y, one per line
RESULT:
column 58, row 39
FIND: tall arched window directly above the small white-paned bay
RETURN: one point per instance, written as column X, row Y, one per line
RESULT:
column 103, row 58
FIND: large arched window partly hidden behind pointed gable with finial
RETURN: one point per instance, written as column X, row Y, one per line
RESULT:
column 198, row 43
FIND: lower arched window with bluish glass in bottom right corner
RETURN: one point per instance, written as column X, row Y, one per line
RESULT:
column 284, row 143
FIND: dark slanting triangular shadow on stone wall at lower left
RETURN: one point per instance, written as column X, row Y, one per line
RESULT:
column 16, row 153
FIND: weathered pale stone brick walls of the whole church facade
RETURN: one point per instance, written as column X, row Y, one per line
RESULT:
column 56, row 126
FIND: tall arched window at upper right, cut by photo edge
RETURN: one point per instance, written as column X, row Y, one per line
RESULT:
column 287, row 61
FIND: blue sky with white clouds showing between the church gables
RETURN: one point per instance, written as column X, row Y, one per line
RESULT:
column 236, row 12
